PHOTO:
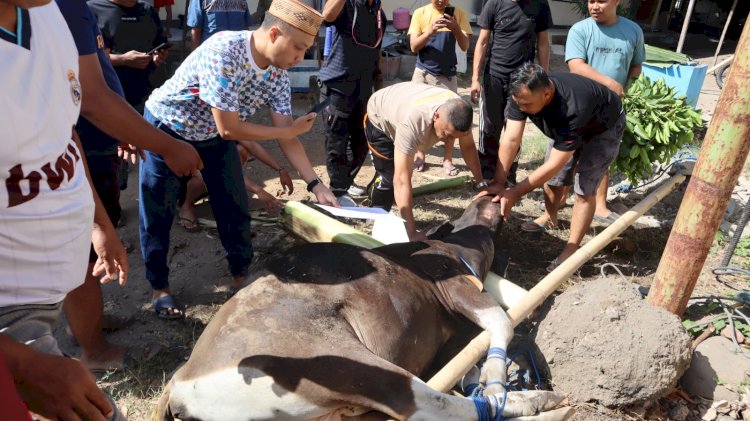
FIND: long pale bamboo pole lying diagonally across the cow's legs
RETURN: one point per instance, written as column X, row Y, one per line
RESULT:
column 477, row 348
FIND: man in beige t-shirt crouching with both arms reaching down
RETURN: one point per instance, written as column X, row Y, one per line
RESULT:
column 403, row 119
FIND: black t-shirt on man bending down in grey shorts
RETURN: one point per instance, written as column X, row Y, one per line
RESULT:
column 580, row 109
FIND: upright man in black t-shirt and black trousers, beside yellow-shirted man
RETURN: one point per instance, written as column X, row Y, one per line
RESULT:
column 510, row 30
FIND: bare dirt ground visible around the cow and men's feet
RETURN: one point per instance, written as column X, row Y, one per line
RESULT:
column 199, row 276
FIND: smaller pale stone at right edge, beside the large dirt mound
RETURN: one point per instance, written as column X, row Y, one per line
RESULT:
column 716, row 370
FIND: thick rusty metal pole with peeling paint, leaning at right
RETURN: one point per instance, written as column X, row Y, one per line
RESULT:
column 719, row 166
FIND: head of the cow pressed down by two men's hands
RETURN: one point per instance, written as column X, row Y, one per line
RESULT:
column 474, row 232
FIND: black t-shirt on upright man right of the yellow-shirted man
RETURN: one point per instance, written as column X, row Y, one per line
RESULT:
column 514, row 26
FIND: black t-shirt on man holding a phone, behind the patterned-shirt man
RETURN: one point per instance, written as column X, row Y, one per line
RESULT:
column 130, row 28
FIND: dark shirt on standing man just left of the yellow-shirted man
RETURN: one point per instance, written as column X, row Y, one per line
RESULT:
column 355, row 59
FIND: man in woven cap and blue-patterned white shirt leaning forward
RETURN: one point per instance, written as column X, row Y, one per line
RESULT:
column 208, row 102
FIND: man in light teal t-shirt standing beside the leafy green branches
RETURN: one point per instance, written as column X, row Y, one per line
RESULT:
column 608, row 49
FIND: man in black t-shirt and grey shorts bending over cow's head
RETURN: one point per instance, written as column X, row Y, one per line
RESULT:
column 584, row 121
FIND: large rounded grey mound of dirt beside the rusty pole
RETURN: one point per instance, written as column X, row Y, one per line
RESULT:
column 603, row 342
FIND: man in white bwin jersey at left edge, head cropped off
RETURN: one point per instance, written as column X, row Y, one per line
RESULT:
column 46, row 211
